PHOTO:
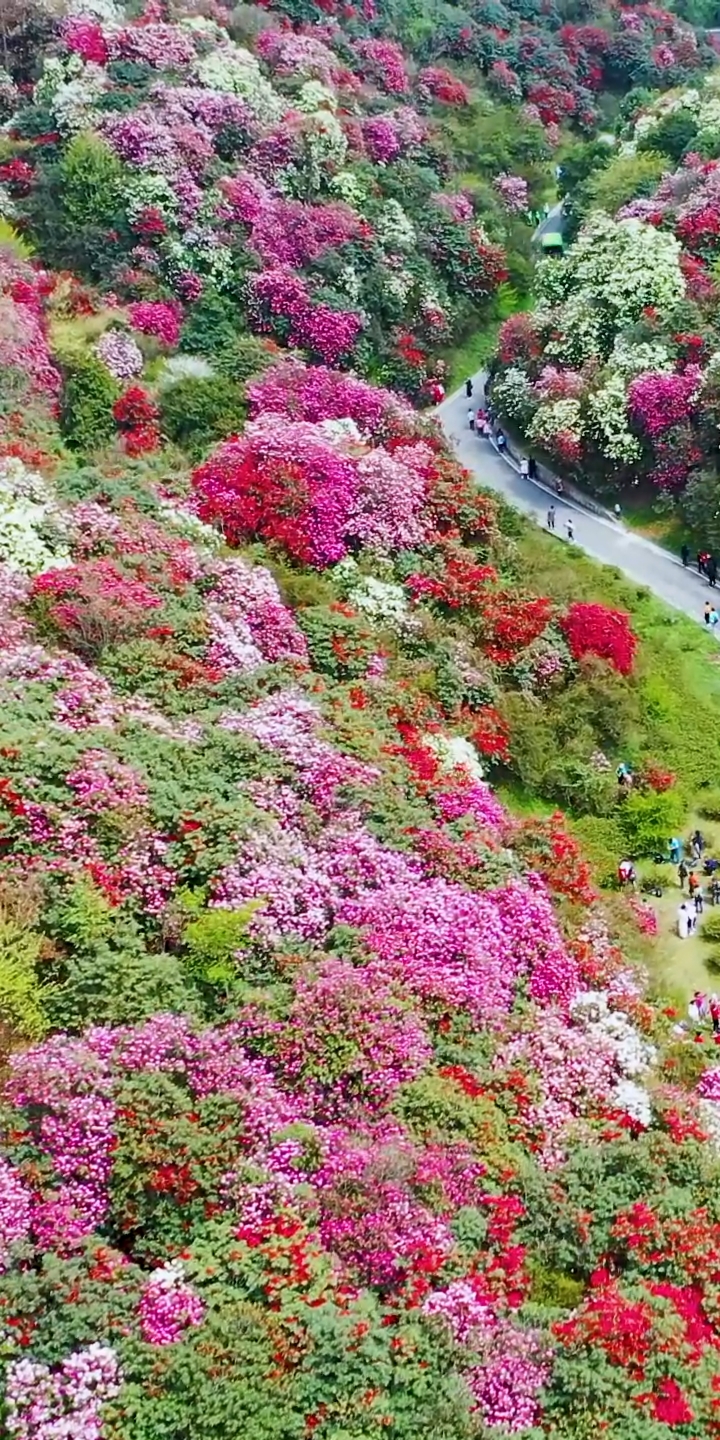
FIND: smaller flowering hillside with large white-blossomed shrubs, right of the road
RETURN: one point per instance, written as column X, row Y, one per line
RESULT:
column 616, row 372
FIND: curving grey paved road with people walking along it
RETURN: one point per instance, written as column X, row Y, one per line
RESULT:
column 607, row 541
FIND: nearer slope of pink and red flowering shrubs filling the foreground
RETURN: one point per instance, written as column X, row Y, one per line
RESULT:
column 332, row 1099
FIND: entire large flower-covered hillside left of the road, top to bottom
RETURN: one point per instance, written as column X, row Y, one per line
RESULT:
column 338, row 1099
